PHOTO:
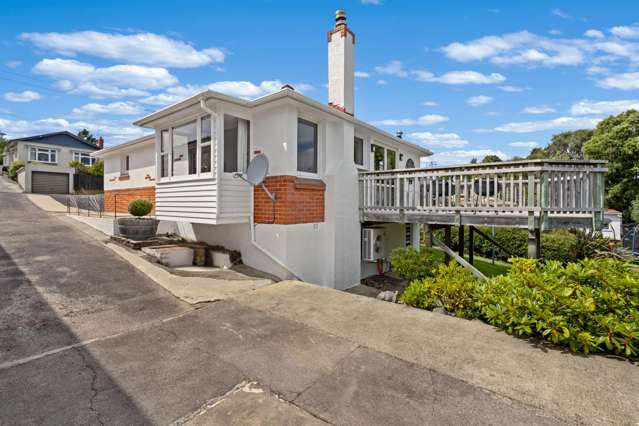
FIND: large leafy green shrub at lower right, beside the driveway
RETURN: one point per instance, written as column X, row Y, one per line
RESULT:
column 589, row 306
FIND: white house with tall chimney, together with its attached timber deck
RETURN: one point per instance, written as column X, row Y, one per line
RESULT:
column 346, row 192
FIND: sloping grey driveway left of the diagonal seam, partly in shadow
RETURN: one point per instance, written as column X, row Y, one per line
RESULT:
column 87, row 339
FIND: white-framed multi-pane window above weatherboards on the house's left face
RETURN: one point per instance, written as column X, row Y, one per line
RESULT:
column 198, row 166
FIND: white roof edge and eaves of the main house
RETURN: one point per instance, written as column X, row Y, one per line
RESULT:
column 285, row 92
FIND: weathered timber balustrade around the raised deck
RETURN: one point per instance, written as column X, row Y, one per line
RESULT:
column 535, row 194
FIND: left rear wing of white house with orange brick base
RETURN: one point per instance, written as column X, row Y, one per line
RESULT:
column 129, row 173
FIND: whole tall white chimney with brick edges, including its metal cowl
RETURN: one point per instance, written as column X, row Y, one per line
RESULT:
column 341, row 65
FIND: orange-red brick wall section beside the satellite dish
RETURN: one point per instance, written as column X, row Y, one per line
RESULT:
column 296, row 201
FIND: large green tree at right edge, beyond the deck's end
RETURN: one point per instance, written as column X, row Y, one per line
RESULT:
column 616, row 139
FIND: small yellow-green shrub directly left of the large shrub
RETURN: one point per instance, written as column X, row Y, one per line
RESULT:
column 452, row 288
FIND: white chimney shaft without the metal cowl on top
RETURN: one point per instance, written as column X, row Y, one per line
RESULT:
column 341, row 61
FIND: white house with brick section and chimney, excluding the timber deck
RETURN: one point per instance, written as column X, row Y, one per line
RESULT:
column 312, row 231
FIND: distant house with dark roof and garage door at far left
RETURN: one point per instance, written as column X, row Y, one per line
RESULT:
column 47, row 160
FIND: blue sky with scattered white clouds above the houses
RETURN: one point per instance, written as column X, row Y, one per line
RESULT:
column 463, row 78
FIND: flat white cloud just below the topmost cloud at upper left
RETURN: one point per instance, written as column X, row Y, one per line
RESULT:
column 114, row 81
